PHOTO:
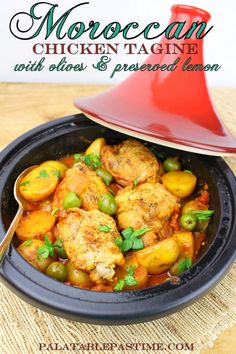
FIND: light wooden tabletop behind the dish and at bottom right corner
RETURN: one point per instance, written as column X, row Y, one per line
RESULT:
column 24, row 106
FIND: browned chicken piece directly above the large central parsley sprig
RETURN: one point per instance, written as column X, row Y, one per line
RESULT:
column 148, row 205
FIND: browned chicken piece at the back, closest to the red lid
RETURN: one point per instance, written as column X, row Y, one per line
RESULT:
column 130, row 161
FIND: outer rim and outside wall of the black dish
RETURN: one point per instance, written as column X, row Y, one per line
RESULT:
column 123, row 307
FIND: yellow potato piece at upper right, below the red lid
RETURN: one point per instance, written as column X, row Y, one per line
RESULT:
column 179, row 183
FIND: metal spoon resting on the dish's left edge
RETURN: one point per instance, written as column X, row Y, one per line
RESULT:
column 5, row 243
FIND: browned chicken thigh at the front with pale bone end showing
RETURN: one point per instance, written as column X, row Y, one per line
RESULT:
column 88, row 248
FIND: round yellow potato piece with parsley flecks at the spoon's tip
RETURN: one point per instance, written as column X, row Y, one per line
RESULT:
column 39, row 183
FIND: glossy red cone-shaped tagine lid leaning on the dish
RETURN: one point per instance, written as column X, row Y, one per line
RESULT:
column 170, row 107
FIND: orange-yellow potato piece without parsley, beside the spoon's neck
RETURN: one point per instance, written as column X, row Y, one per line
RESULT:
column 35, row 225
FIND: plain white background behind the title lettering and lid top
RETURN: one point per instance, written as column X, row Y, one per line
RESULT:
column 219, row 44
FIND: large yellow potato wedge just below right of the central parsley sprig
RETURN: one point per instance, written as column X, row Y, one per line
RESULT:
column 158, row 258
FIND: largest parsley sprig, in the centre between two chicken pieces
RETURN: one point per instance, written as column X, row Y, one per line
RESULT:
column 131, row 240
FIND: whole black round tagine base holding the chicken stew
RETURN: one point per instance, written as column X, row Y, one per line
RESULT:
column 72, row 134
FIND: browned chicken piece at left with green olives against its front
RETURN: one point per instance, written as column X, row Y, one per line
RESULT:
column 83, row 181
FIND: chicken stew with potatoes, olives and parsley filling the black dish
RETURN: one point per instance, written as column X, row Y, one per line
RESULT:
column 113, row 218
